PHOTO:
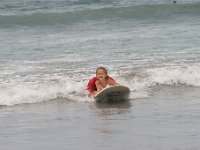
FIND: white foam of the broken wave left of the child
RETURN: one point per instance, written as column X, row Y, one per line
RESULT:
column 33, row 89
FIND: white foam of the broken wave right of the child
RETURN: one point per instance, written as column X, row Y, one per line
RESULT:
column 142, row 83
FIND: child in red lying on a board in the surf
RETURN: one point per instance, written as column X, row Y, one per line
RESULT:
column 99, row 82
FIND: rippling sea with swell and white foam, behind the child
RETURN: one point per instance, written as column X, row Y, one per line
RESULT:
column 50, row 49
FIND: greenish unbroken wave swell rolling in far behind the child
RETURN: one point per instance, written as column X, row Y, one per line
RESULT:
column 140, row 12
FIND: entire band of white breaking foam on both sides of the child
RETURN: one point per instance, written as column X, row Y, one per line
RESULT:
column 45, row 87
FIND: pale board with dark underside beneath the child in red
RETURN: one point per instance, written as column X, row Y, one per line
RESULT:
column 113, row 93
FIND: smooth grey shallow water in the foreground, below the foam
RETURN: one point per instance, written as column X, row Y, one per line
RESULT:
column 167, row 120
